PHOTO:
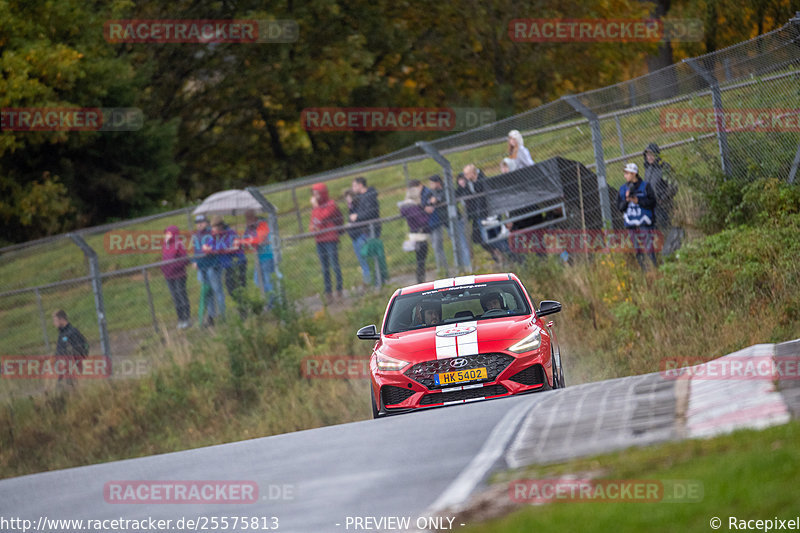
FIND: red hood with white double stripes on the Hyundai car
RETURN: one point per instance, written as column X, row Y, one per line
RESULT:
column 457, row 339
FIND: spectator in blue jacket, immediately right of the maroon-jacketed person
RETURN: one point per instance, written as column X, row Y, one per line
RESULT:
column 212, row 296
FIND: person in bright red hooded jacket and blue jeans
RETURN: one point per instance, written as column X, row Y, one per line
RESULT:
column 325, row 214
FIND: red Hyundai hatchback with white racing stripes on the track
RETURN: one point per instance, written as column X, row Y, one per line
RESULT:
column 461, row 339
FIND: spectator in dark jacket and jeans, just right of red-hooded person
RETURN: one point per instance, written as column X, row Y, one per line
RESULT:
column 368, row 245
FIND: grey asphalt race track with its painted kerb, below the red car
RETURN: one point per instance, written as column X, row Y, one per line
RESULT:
column 412, row 465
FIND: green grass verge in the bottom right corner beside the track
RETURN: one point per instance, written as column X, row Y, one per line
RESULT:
column 748, row 475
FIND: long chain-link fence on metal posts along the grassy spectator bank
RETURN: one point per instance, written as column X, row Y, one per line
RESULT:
column 731, row 114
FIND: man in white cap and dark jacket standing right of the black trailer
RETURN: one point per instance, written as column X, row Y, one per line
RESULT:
column 637, row 202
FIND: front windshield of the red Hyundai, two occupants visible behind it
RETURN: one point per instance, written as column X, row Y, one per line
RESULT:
column 481, row 301
